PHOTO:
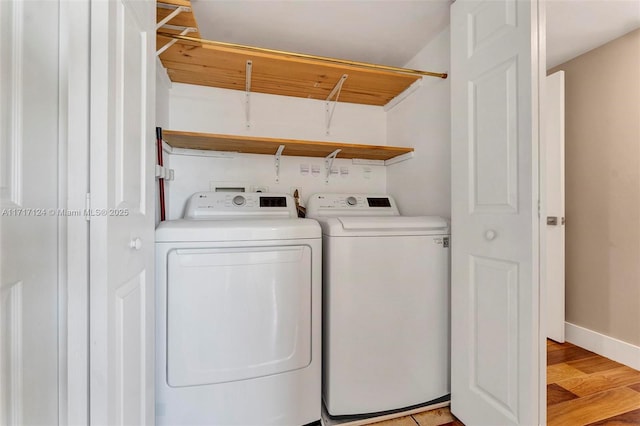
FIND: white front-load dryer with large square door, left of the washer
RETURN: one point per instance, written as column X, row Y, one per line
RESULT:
column 238, row 330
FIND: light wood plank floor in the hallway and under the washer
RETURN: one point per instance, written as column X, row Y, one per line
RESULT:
column 583, row 389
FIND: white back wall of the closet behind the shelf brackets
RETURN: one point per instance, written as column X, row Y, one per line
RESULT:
column 211, row 110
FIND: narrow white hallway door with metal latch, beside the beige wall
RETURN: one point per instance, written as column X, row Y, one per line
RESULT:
column 552, row 218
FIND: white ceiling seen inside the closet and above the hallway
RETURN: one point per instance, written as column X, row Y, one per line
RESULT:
column 391, row 32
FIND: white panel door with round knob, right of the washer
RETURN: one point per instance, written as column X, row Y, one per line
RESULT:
column 495, row 300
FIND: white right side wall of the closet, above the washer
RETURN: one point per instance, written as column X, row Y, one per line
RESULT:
column 422, row 185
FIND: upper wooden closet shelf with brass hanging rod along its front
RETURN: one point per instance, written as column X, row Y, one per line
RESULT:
column 223, row 65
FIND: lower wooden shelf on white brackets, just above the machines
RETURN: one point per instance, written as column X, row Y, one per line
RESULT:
column 258, row 145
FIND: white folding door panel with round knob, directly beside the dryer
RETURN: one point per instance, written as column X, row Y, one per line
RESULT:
column 123, row 215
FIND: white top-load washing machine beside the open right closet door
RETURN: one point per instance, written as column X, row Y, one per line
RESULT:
column 385, row 304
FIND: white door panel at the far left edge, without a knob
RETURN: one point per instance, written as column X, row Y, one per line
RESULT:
column 29, row 110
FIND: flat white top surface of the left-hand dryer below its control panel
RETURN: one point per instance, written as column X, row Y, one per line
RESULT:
column 187, row 230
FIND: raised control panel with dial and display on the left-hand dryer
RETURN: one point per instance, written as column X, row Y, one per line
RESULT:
column 239, row 205
